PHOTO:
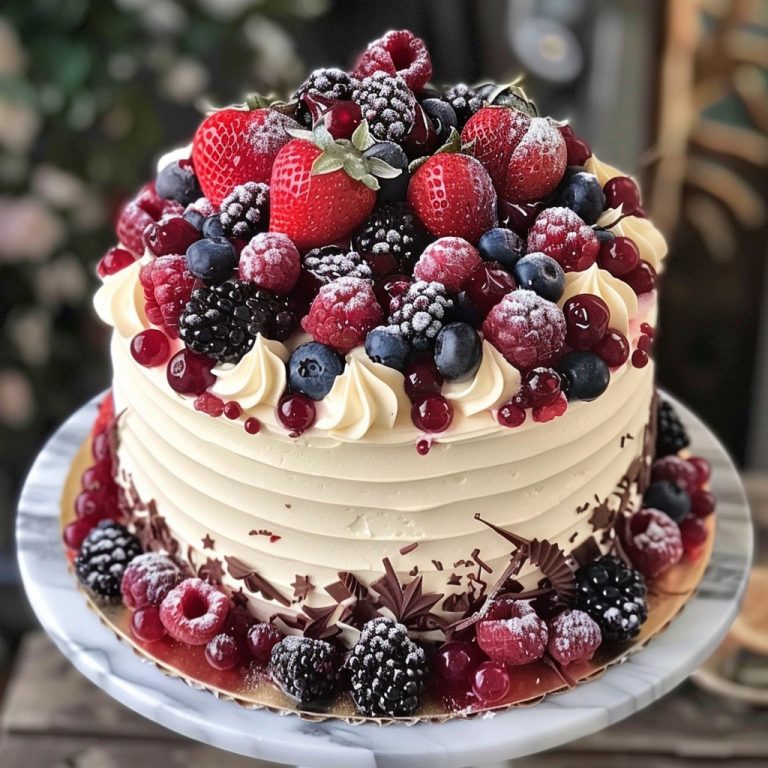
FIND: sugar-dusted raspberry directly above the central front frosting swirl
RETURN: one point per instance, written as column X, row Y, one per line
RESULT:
column 342, row 314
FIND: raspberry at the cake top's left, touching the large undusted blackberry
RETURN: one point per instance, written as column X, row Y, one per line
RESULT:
column 168, row 286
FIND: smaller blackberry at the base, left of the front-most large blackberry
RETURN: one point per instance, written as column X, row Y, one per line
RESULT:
column 304, row 668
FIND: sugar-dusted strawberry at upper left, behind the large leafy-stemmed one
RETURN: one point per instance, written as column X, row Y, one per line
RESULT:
column 235, row 145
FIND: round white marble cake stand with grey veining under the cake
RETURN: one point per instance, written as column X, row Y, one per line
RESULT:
column 621, row 691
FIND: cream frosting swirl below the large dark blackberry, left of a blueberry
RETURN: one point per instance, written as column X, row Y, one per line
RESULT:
column 257, row 379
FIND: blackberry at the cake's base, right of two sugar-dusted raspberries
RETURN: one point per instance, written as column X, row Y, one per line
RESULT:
column 613, row 594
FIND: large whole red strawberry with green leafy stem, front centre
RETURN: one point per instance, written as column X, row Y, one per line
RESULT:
column 322, row 189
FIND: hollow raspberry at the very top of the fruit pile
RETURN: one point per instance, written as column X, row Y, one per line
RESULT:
column 398, row 52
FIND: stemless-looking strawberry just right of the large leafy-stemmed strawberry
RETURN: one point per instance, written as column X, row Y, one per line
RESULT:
column 453, row 196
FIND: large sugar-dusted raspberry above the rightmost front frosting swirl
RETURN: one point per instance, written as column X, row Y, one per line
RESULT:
column 525, row 328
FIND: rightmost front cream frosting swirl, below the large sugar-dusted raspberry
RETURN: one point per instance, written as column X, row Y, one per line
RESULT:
column 495, row 382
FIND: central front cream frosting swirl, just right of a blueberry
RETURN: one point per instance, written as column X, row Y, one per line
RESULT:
column 365, row 396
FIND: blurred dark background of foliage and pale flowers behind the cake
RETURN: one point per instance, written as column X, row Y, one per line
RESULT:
column 92, row 91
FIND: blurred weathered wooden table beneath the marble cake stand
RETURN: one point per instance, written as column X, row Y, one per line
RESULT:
column 54, row 717
